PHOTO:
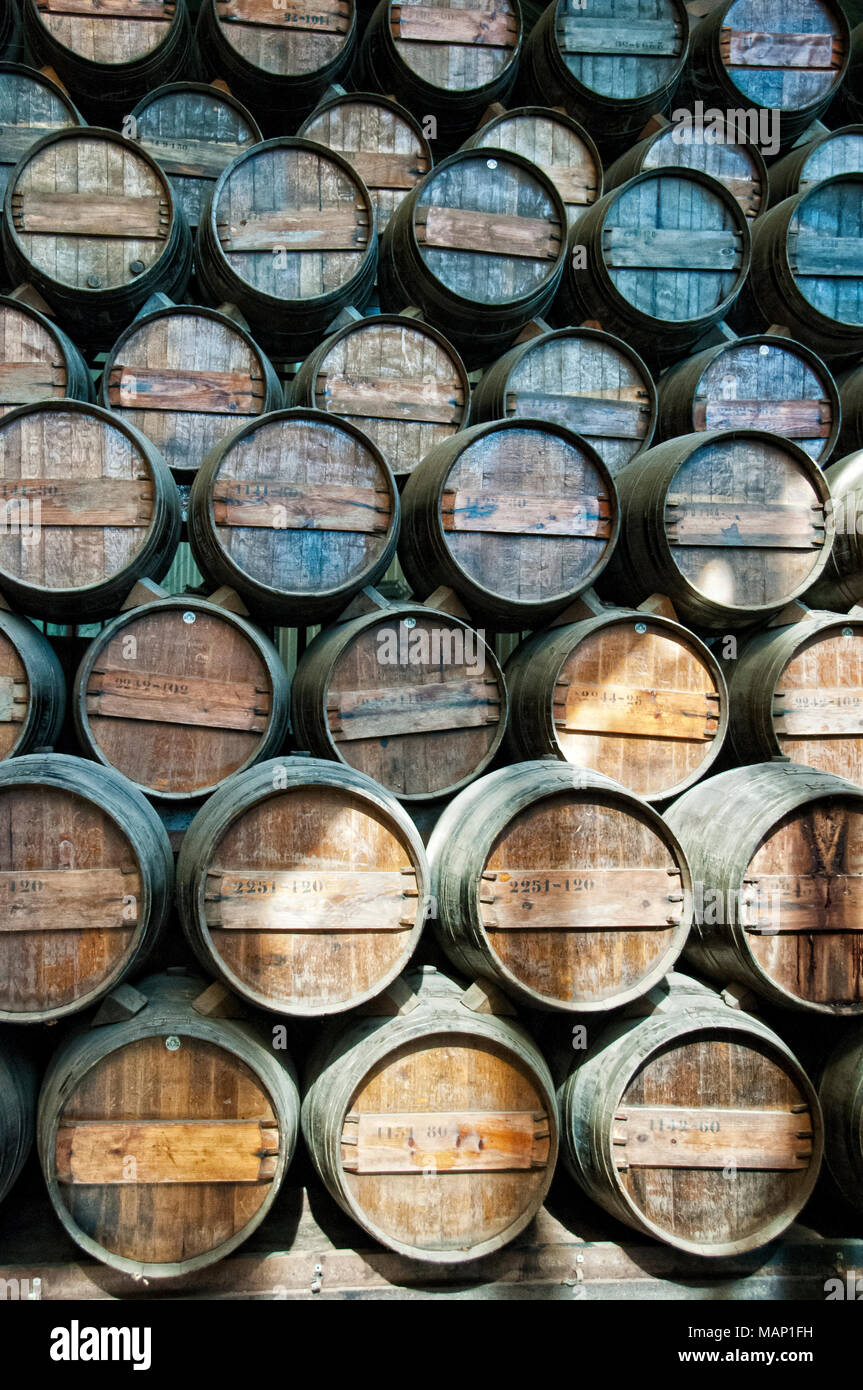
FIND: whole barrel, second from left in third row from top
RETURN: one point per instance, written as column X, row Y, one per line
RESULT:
column 290, row 238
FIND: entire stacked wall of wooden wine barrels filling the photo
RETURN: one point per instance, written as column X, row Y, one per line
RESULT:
column 431, row 494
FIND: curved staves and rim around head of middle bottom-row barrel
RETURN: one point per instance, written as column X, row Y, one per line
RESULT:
column 345, row 1056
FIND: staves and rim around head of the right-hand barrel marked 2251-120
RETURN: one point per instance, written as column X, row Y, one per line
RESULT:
column 472, row 824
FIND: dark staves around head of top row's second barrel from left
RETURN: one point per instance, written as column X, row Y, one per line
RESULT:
column 277, row 102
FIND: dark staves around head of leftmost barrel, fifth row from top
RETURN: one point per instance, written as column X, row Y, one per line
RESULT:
column 154, row 558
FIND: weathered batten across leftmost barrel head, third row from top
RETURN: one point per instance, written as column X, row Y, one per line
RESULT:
column 92, row 215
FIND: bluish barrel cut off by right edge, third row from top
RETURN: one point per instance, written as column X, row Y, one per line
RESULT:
column 808, row 269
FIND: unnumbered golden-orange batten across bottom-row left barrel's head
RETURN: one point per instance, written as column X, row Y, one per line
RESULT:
column 110, row 1153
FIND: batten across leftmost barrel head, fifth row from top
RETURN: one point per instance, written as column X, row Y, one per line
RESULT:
column 98, row 502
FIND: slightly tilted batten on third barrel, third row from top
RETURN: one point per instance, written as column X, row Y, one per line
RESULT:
column 487, row 234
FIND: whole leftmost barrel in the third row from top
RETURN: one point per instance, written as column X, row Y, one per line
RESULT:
column 99, row 252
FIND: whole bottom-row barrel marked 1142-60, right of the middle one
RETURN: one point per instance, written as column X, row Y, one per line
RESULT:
column 694, row 1125
